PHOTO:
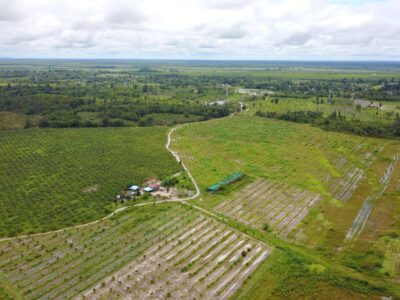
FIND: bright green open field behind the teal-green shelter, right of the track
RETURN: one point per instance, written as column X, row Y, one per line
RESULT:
column 295, row 154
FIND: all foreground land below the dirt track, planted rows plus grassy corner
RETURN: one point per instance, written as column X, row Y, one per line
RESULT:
column 170, row 250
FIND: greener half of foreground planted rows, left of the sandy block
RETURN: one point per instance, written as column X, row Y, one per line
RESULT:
column 63, row 264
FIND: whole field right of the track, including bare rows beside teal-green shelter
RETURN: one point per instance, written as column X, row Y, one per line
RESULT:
column 318, row 189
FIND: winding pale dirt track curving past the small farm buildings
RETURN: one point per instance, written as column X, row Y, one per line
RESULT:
column 167, row 146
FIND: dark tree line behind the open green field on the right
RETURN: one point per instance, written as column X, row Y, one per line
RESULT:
column 337, row 122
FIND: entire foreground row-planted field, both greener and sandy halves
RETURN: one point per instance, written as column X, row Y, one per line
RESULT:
column 158, row 250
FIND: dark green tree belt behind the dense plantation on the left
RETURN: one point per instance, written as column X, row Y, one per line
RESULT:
column 51, row 109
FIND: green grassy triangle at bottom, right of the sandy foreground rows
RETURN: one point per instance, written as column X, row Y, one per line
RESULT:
column 285, row 276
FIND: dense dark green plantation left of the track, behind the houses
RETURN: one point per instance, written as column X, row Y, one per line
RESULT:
column 53, row 178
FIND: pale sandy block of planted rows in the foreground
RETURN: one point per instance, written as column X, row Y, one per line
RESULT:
column 203, row 260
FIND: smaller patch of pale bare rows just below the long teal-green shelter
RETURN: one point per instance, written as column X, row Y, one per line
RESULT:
column 270, row 205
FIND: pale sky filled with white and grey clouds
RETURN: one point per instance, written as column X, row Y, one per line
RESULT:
column 201, row 29
